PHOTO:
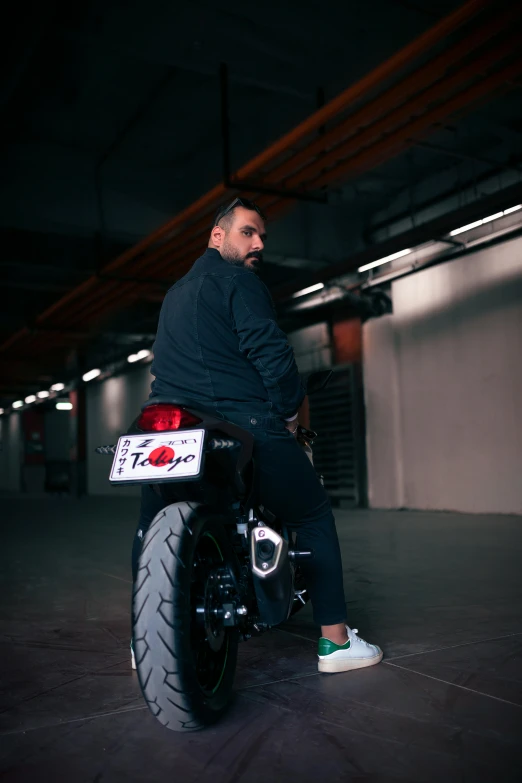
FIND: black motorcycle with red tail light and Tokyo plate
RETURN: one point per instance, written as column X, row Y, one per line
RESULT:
column 216, row 567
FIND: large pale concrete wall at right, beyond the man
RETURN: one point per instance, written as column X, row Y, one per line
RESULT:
column 443, row 388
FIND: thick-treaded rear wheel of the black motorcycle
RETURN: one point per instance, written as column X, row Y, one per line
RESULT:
column 185, row 656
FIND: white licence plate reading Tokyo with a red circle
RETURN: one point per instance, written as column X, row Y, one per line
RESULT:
column 166, row 456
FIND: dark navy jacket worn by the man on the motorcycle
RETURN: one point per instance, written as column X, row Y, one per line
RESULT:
column 218, row 343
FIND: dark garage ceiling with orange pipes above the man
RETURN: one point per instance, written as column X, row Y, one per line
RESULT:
column 112, row 126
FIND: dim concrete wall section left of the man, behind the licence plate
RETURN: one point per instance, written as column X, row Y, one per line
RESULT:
column 112, row 405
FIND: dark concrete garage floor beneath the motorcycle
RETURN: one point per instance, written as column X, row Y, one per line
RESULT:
column 441, row 593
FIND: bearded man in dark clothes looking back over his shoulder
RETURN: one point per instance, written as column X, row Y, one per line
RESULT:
column 218, row 343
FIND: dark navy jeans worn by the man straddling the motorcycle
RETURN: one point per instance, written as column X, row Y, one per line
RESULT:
column 290, row 489
